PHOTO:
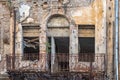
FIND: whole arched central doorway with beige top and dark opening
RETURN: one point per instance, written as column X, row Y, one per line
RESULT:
column 58, row 38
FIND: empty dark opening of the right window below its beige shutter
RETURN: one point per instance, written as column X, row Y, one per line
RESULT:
column 86, row 49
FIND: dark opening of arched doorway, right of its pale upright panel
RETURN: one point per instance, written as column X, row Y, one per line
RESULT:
column 62, row 52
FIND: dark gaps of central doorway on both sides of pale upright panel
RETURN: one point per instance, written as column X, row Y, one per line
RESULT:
column 61, row 52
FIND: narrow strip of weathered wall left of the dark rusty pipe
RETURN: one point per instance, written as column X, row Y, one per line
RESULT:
column 4, row 35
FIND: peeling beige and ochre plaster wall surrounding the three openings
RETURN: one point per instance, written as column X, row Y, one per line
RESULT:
column 85, row 13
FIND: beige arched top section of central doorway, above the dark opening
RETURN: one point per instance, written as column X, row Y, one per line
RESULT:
column 58, row 26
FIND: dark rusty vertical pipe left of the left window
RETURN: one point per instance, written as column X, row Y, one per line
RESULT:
column 14, row 36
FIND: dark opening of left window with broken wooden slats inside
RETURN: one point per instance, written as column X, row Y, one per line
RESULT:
column 31, row 48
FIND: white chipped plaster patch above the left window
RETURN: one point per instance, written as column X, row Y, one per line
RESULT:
column 24, row 11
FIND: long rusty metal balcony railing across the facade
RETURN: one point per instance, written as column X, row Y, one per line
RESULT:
column 90, row 69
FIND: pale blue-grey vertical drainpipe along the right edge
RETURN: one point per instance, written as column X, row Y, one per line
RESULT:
column 116, row 39
